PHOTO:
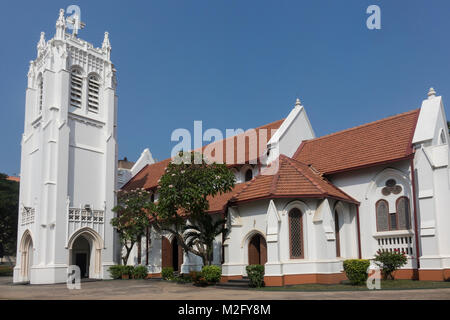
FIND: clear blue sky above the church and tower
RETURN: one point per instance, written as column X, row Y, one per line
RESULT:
column 238, row 64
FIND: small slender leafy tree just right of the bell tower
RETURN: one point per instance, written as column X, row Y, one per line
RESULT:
column 132, row 219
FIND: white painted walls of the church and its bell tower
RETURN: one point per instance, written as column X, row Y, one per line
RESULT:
column 69, row 178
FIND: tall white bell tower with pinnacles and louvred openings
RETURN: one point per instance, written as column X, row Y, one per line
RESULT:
column 68, row 161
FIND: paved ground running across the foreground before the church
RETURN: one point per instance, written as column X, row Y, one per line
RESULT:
column 161, row 290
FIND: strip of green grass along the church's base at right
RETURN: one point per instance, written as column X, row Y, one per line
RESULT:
column 346, row 286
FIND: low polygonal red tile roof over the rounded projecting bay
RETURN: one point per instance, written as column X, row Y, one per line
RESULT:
column 293, row 179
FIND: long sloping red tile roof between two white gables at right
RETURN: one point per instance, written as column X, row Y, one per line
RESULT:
column 378, row 142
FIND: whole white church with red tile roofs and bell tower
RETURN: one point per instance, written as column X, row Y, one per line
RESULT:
column 383, row 185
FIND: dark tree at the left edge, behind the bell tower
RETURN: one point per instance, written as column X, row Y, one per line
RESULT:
column 9, row 206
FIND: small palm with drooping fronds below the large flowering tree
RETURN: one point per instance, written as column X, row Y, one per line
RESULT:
column 201, row 233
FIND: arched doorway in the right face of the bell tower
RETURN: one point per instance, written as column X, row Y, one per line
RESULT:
column 85, row 248
